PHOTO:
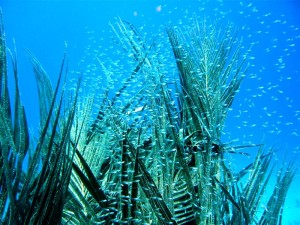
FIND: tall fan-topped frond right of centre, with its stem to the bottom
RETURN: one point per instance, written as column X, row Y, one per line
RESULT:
column 210, row 71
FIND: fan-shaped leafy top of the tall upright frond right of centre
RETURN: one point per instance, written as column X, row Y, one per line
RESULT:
column 211, row 71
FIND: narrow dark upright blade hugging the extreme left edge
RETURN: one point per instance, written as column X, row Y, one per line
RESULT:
column 7, row 148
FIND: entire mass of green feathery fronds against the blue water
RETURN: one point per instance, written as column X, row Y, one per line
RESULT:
column 153, row 156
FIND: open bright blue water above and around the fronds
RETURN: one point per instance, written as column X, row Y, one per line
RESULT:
column 267, row 108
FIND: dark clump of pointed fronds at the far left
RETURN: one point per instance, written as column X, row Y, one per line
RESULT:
column 35, row 196
